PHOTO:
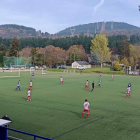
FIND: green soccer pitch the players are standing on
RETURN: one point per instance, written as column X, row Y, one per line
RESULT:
column 55, row 109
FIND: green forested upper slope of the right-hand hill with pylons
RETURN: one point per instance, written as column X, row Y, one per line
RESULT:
column 93, row 28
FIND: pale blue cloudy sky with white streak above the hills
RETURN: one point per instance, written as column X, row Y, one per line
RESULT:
column 55, row 15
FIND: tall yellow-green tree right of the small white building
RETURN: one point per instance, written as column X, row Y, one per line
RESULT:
column 99, row 44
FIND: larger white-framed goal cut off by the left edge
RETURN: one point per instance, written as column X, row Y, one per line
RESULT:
column 6, row 72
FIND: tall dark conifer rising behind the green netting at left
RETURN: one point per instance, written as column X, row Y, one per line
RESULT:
column 14, row 48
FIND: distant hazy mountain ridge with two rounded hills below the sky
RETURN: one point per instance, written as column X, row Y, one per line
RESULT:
column 109, row 28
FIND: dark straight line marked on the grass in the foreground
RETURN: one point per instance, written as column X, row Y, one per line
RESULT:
column 78, row 127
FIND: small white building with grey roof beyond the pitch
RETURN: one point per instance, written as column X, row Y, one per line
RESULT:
column 81, row 63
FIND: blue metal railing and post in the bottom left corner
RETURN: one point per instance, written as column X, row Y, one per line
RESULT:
column 4, row 133
